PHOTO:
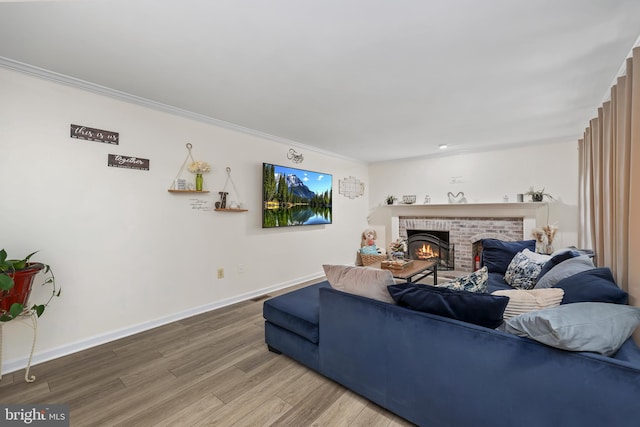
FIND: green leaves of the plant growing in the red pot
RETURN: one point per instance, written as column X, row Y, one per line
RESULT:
column 8, row 268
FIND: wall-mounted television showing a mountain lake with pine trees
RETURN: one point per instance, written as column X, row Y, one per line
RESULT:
column 293, row 196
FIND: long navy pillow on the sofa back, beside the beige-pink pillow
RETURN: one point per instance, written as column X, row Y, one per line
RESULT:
column 480, row 309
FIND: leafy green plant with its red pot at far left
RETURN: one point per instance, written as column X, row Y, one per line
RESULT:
column 16, row 282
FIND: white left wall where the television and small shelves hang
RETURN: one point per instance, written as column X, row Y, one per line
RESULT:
column 127, row 253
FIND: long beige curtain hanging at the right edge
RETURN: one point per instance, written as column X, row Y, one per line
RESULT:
column 609, row 185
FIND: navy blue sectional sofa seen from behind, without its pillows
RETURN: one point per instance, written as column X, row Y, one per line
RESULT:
column 441, row 372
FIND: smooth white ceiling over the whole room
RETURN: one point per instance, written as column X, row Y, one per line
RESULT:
column 364, row 79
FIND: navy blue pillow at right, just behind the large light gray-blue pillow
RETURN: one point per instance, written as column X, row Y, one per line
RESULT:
column 593, row 285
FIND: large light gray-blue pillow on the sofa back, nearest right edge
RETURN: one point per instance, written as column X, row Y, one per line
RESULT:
column 583, row 326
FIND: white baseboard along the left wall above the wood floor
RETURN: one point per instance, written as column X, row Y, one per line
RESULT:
column 65, row 350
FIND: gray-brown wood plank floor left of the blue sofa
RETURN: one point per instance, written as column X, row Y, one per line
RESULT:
column 208, row 370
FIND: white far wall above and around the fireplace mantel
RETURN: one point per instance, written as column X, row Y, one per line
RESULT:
column 485, row 178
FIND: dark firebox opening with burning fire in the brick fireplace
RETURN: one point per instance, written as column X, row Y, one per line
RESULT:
column 431, row 245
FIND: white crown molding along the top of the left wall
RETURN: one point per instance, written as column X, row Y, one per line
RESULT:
column 158, row 106
